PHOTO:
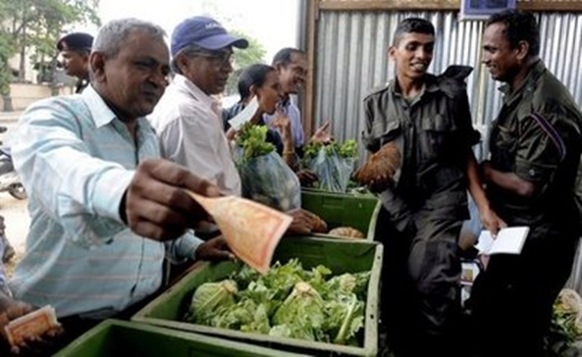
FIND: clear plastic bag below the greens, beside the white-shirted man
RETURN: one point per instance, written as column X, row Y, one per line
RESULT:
column 268, row 180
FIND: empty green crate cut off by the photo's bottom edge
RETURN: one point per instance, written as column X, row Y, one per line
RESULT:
column 115, row 338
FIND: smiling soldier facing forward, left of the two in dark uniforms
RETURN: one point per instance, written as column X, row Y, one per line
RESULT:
column 429, row 119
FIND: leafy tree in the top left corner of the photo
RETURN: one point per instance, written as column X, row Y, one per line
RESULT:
column 34, row 26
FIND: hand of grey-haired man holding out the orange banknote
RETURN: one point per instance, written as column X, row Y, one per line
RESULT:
column 156, row 204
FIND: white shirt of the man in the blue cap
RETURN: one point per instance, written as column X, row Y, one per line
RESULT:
column 189, row 125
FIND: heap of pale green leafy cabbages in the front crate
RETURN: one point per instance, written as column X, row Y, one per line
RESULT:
column 286, row 302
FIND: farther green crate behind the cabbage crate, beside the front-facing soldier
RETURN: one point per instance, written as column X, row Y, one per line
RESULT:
column 359, row 211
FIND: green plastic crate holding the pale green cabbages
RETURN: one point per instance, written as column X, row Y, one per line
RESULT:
column 340, row 256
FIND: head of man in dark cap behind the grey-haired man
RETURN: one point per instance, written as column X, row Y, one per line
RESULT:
column 74, row 49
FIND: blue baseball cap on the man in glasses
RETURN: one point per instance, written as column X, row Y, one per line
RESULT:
column 204, row 32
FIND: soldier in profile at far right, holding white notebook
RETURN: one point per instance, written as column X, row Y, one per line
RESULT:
column 535, row 151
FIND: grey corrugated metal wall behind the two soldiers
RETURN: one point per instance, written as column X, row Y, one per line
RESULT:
column 351, row 58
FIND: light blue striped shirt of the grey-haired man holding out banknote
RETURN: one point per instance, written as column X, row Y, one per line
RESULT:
column 76, row 159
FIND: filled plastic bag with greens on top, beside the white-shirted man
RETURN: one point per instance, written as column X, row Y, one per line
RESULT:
column 265, row 177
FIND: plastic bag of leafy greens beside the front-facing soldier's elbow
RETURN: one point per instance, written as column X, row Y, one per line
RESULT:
column 333, row 164
